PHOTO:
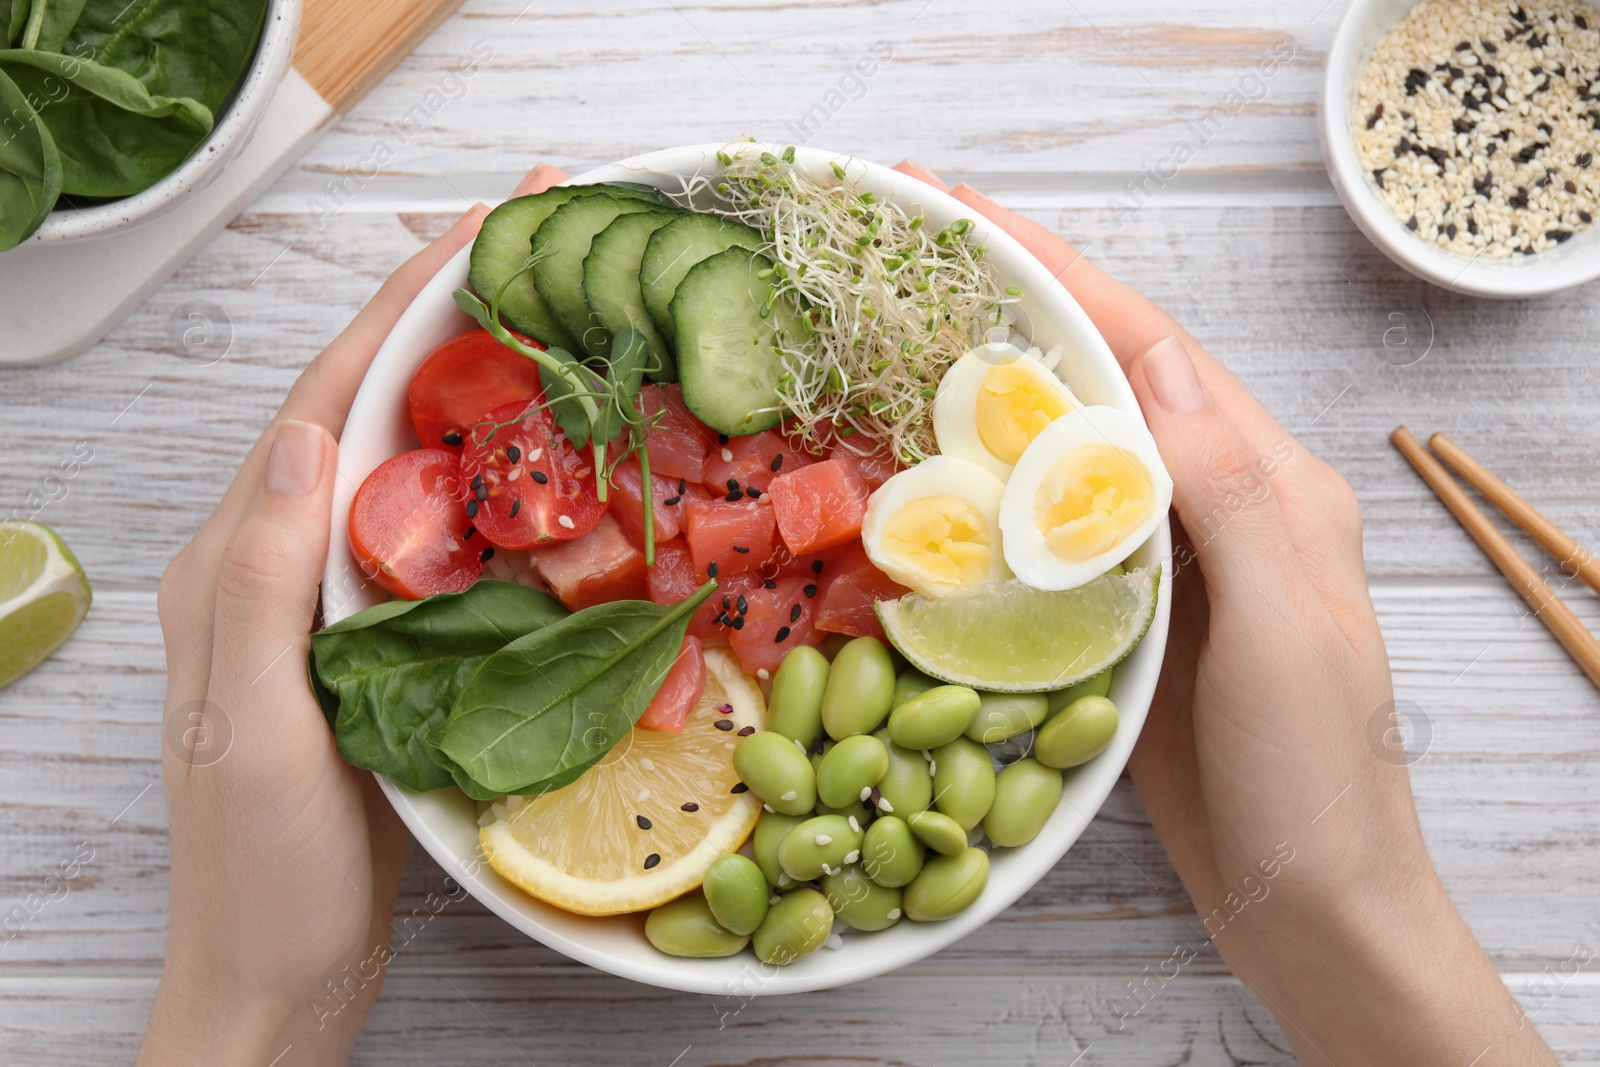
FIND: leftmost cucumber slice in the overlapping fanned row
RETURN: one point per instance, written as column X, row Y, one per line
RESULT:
column 503, row 247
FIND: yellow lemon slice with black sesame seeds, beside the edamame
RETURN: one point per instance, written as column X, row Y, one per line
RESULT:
column 586, row 847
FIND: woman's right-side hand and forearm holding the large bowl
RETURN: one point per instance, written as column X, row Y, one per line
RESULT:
column 1295, row 837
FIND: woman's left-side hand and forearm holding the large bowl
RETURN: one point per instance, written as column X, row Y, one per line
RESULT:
column 286, row 860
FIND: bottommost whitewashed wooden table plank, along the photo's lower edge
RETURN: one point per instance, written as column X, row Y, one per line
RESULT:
column 903, row 1021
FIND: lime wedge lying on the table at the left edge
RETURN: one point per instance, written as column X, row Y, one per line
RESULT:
column 44, row 596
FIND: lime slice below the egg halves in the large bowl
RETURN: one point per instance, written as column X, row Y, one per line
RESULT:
column 1007, row 637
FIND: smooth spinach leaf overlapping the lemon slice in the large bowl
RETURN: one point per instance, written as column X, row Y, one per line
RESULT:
column 550, row 706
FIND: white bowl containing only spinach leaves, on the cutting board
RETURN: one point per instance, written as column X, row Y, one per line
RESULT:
column 230, row 135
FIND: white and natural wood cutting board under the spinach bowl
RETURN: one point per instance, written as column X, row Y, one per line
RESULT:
column 60, row 300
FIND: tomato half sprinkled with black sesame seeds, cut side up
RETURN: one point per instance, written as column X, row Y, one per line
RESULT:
column 527, row 486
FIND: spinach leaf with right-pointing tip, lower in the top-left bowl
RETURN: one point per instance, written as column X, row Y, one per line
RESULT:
column 116, row 138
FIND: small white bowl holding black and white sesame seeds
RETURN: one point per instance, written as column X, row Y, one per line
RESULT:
column 1567, row 265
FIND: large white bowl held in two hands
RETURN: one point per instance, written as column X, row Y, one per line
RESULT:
column 446, row 823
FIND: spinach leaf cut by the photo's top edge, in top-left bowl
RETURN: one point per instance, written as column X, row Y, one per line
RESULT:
column 198, row 49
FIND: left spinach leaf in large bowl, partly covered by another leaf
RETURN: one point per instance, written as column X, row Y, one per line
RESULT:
column 390, row 674
